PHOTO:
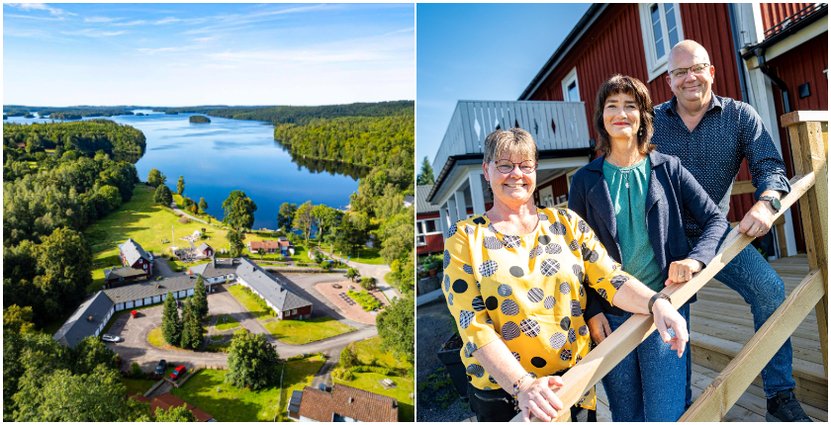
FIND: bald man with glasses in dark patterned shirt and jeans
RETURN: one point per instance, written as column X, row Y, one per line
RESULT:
column 711, row 135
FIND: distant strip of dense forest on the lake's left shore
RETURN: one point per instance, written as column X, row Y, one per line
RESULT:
column 87, row 137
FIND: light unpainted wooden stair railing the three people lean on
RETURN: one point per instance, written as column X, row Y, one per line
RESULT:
column 808, row 133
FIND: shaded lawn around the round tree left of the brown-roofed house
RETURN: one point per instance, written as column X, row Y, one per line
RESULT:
column 226, row 403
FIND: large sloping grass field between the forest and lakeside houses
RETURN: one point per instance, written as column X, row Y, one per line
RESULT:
column 148, row 224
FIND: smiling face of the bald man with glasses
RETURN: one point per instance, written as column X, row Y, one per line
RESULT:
column 690, row 87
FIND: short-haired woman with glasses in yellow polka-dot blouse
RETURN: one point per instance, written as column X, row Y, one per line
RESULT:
column 513, row 280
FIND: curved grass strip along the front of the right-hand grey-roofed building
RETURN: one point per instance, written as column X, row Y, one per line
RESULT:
column 289, row 331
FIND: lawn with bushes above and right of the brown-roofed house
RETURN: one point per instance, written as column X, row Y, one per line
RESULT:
column 369, row 352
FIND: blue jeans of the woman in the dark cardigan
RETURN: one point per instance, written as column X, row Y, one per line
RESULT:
column 650, row 383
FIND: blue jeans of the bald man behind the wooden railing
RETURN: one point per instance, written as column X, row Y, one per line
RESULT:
column 756, row 281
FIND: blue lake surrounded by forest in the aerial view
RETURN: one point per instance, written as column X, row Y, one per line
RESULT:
column 227, row 155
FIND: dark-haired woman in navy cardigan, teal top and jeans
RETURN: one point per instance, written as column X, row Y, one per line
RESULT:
column 635, row 199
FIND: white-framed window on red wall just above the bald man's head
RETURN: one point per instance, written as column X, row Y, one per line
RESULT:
column 661, row 29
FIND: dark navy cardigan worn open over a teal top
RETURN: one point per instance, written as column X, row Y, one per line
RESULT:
column 672, row 190
